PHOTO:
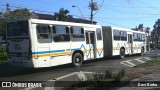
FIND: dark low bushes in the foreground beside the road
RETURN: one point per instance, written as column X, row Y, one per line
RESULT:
column 99, row 79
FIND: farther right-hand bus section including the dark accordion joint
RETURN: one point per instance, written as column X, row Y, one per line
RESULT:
column 120, row 41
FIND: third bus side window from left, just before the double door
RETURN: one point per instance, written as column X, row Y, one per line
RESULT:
column 77, row 34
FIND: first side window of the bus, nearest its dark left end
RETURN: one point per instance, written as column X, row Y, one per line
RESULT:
column 43, row 33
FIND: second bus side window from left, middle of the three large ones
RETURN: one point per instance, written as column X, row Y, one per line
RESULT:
column 60, row 33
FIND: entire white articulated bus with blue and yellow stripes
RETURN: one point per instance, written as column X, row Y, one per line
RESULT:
column 45, row 43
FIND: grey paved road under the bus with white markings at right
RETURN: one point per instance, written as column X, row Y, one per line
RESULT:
column 43, row 74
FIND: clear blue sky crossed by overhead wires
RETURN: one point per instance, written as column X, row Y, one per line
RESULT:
column 119, row 13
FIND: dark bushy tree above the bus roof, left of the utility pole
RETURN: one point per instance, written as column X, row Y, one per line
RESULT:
column 63, row 15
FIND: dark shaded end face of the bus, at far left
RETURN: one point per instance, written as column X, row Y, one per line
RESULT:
column 19, row 44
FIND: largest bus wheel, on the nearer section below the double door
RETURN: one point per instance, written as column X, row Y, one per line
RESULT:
column 77, row 60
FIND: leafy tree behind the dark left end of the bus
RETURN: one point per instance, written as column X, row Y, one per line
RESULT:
column 12, row 16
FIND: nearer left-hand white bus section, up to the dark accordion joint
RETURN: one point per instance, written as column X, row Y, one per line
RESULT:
column 45, row 43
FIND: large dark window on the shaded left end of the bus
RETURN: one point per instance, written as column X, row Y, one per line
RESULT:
column 19, row 28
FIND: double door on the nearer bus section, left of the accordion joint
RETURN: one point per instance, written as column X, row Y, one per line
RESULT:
column 90, row 45
